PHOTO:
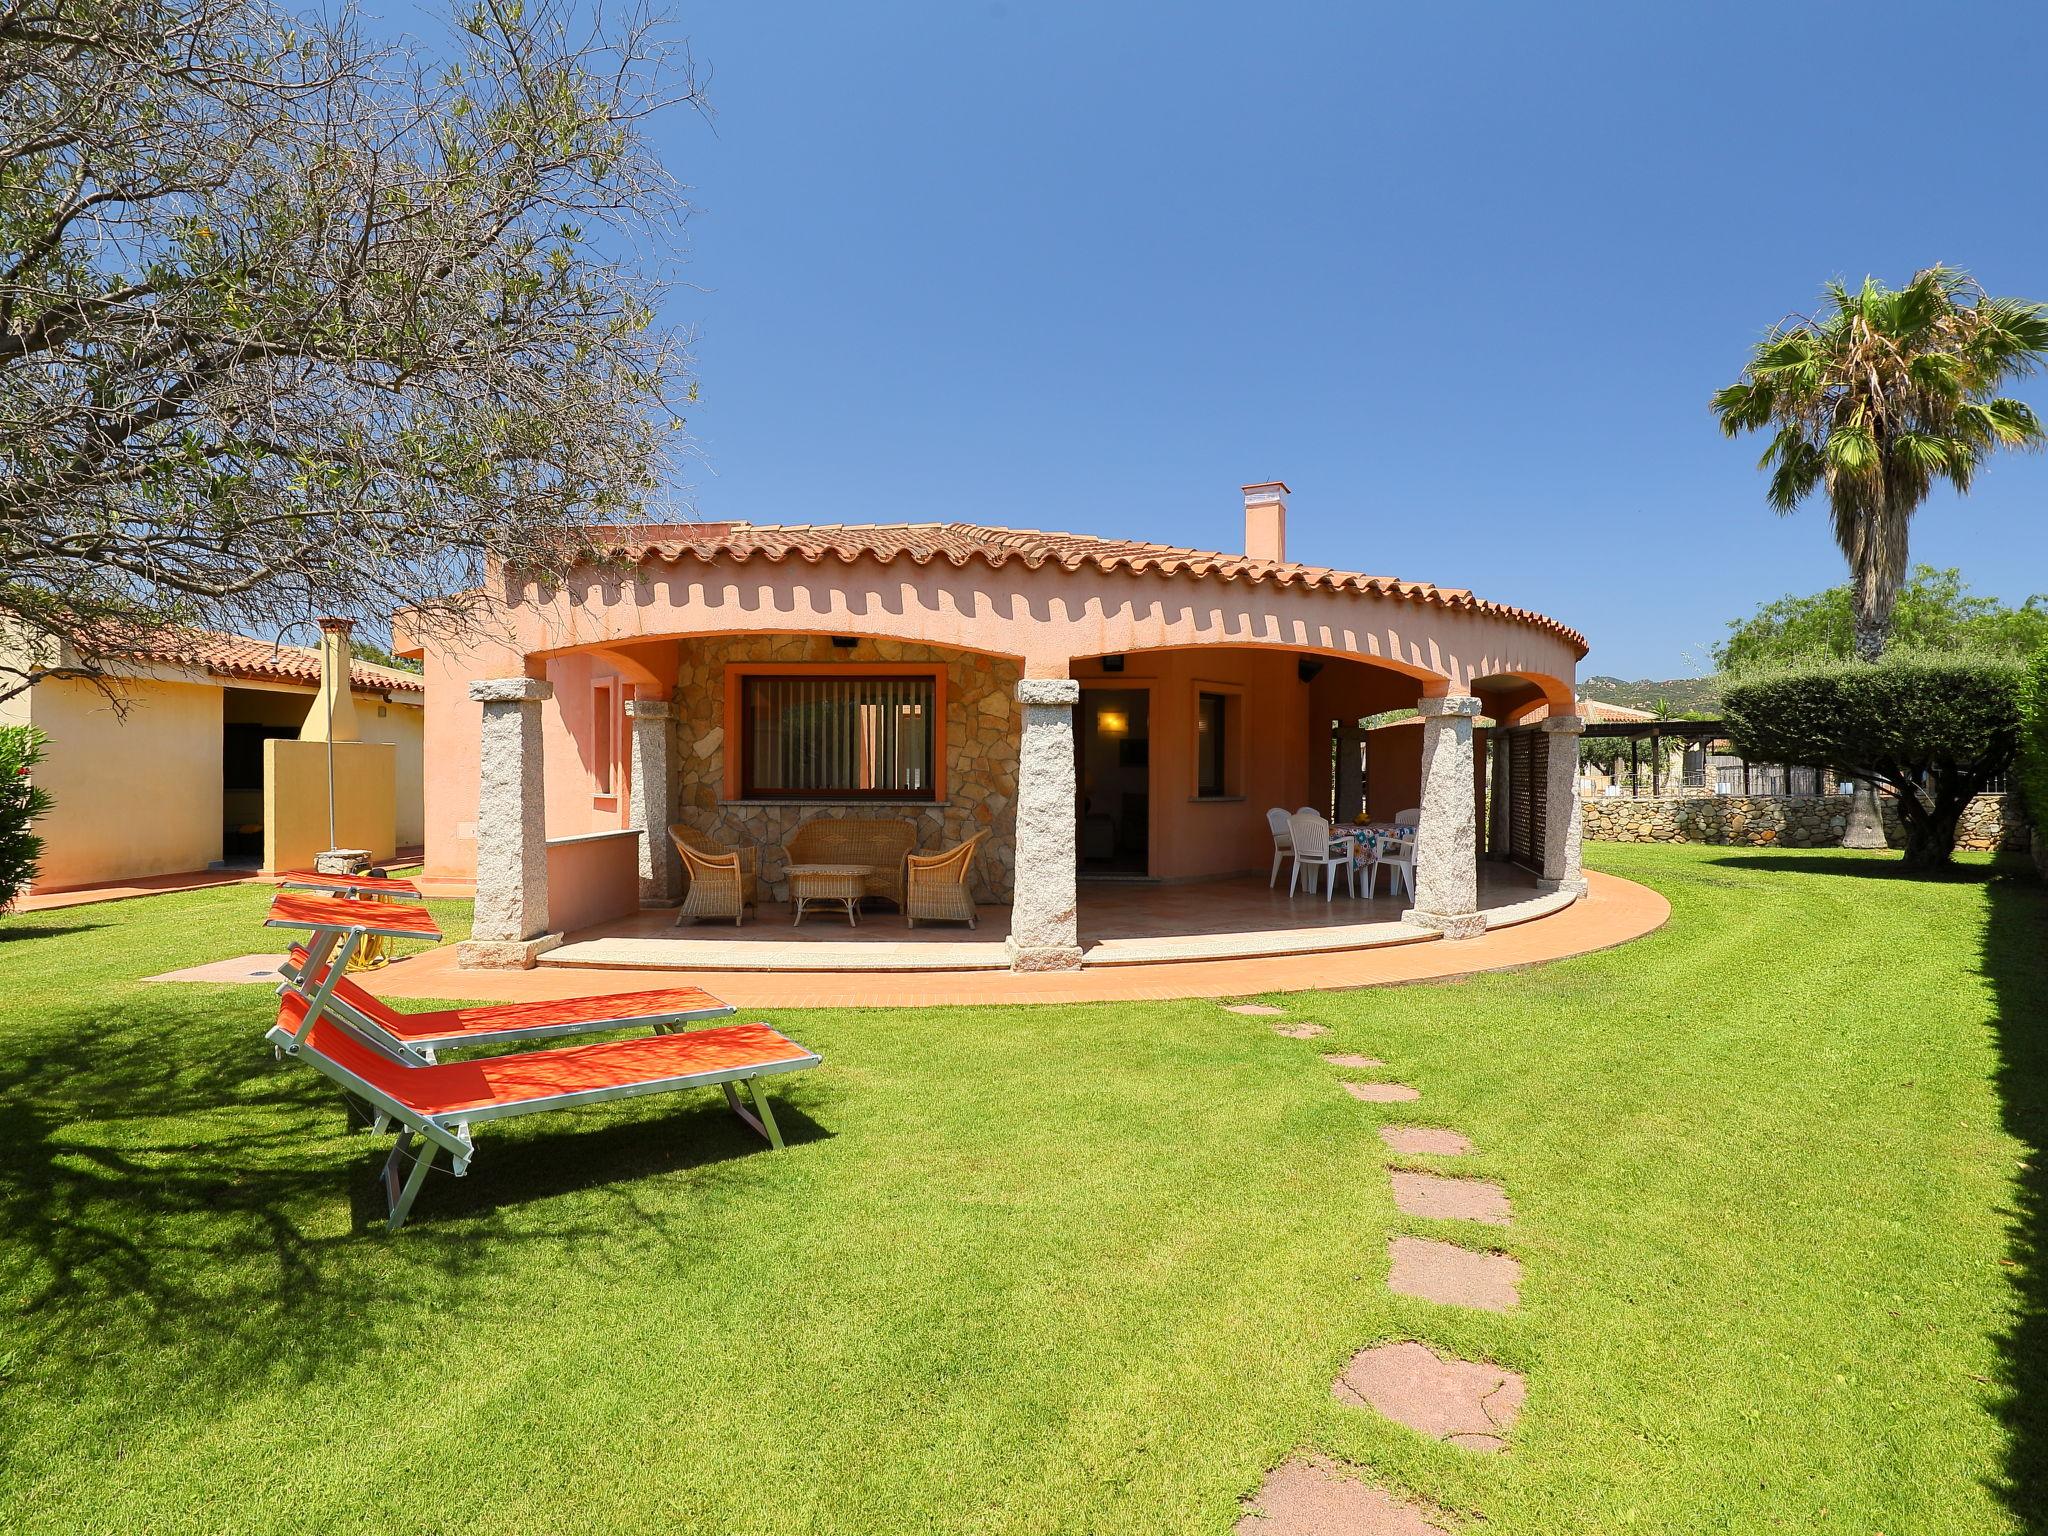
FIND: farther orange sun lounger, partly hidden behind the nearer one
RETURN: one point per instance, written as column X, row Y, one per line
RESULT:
column 421, row 1039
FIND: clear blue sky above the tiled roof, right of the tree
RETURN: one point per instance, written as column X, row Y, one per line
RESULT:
column 1461, row 275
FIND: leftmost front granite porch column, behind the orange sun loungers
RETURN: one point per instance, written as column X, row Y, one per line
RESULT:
column 511, row 923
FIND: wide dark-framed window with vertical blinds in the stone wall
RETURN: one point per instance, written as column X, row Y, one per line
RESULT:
column 839, row 736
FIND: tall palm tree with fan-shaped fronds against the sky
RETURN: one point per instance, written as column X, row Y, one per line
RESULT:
column 1881, row 396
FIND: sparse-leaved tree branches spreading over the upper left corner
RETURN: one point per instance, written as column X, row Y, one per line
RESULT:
column 294, row 325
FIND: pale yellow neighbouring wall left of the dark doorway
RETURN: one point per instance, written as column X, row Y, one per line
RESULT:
column 134, row 796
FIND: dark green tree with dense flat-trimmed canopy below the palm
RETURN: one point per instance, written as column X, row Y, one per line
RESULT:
column 1934, row 728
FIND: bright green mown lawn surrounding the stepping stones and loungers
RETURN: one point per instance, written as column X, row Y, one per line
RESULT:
column 1062, row 1269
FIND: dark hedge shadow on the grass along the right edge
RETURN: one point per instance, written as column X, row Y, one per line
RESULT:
column 2016, row 964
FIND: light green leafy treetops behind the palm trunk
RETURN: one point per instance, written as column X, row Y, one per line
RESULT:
column 1936, row 611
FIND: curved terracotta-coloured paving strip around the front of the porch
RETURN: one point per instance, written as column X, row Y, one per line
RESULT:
column 1613, row 912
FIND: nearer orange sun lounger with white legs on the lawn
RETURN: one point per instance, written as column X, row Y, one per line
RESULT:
column 435, row 1107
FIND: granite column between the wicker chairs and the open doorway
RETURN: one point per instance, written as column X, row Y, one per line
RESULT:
column 1043, row 925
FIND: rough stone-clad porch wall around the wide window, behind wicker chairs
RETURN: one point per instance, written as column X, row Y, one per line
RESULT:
column 980, row 740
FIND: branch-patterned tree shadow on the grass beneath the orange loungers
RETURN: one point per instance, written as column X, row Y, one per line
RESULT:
column 185, row 1213
